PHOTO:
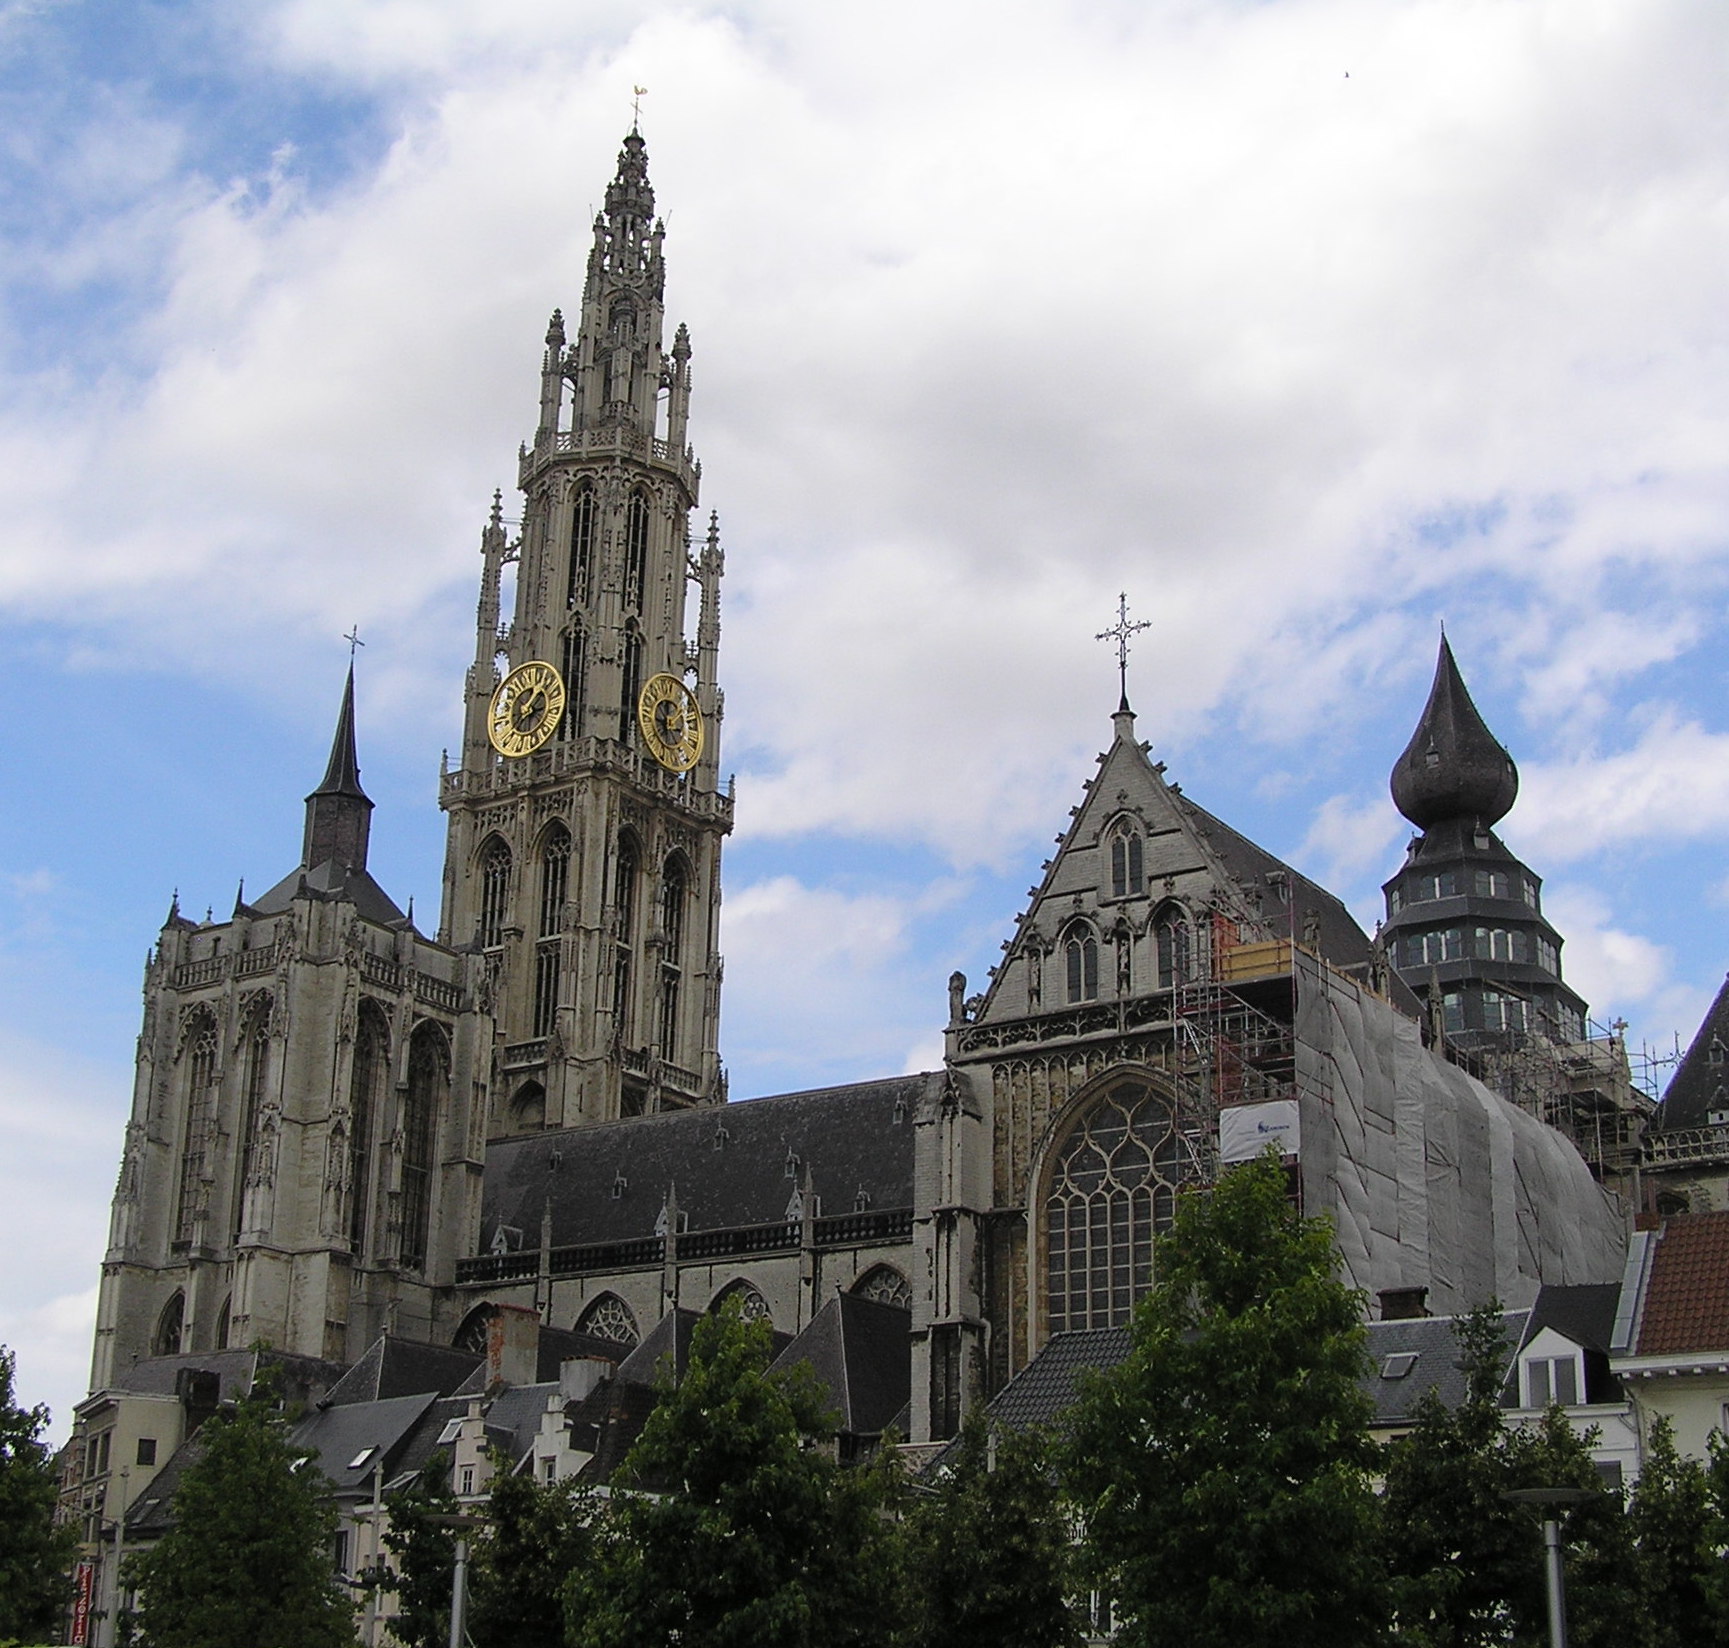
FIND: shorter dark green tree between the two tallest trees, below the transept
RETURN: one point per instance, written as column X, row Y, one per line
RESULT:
column 990, row 1550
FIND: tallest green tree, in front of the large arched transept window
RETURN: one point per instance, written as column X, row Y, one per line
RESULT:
column 1225, row 1464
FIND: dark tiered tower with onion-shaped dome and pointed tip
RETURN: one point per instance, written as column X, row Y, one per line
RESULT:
column 1464, row 914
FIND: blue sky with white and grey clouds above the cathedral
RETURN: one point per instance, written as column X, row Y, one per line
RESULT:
column 1310, row 324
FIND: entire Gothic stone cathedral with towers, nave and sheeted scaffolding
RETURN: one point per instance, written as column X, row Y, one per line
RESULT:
column 348, row 1132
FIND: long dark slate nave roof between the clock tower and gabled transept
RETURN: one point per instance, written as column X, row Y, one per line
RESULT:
column 729, row 1165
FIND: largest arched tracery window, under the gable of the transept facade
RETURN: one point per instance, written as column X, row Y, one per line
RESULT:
column 1113, row 1185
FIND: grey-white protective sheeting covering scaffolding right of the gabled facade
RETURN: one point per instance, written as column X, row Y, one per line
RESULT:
column 1431, row 1179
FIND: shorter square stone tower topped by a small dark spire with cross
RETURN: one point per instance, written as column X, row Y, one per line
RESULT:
column 303, row 1156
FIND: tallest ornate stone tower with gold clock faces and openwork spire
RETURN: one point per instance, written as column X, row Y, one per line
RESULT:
column 585, row 817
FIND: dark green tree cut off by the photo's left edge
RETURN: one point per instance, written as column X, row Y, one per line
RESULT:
column 35, row 1555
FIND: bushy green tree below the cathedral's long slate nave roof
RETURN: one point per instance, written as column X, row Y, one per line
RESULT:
column 732, row 1524
